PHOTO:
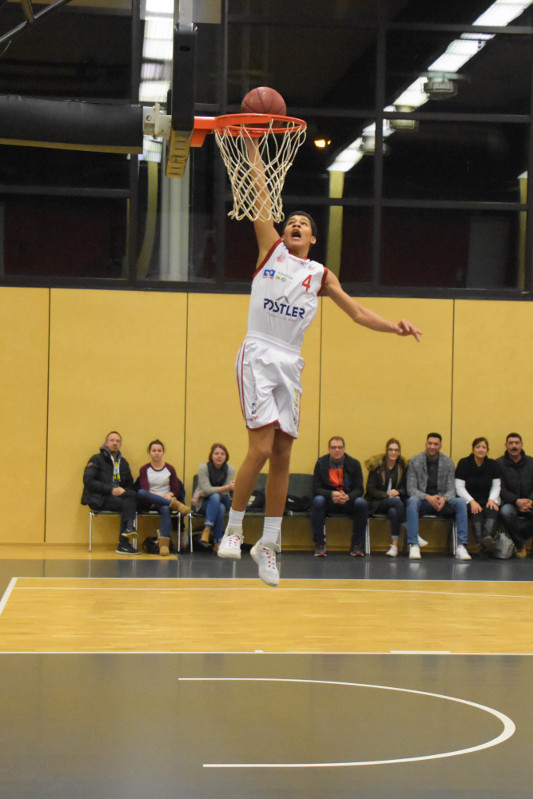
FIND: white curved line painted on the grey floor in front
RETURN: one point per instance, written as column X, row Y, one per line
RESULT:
column 509, row 727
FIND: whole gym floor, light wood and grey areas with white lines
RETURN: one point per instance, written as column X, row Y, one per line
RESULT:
column 189, row 678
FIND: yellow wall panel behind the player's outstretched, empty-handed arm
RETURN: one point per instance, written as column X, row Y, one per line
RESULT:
column 378, row 385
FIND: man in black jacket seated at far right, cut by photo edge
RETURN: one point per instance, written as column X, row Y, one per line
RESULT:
column 516, row 512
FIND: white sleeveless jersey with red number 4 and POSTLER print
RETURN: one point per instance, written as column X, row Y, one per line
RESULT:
column 284, row 297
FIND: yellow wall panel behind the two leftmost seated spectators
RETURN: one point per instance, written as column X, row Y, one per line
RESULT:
column 117, row 362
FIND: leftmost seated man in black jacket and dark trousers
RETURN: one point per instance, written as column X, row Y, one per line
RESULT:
column 108, row 485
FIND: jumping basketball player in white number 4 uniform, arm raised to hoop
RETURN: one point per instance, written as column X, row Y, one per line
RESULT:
column 283, row 302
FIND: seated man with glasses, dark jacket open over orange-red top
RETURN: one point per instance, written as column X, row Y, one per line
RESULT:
column 338, row 488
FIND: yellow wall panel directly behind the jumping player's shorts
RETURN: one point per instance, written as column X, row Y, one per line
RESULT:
column 217, row 326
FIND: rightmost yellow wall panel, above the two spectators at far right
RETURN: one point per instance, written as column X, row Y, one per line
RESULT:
column 493, row 374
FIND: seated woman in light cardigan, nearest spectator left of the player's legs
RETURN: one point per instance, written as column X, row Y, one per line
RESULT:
column 216, row 480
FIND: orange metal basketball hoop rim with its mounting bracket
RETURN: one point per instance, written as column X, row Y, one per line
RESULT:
column 236, row 124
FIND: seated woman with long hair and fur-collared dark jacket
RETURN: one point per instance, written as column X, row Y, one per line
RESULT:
column 385, row 489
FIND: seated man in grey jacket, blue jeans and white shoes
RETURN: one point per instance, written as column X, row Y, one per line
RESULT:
column 431, row 490
